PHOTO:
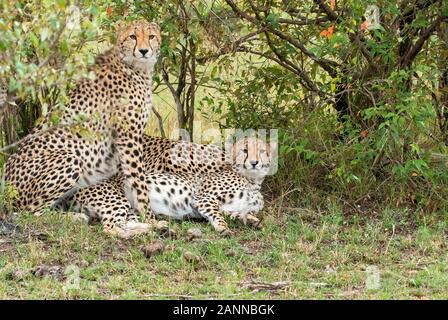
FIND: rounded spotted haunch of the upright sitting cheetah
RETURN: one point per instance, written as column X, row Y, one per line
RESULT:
column 44, row 180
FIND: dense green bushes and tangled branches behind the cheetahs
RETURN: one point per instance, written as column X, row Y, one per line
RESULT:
column 359, row 95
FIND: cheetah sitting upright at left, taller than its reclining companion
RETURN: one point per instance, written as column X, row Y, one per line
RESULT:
column 100, row 130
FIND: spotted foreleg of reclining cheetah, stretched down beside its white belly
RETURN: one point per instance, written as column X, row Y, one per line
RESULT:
column 208, row 207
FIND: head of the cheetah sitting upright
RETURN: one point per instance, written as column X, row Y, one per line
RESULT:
column 138, row 43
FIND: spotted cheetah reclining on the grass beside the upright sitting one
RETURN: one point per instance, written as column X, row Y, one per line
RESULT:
column 203, row 184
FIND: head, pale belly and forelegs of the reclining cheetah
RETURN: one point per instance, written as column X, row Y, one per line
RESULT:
column 232, row 191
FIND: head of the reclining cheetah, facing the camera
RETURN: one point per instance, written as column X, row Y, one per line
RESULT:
column 251, row 157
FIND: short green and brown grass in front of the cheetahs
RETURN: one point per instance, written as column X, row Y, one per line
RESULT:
column 320, row 255
